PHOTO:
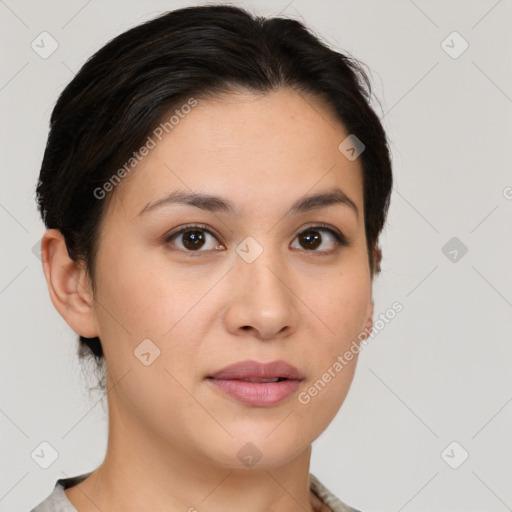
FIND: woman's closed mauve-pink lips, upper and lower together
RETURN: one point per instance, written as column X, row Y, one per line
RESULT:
column 259, row 394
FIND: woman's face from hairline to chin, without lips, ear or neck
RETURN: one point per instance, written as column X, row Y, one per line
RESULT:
column 207, row 287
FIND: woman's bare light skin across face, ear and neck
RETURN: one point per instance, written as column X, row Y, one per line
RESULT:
column 173, row 438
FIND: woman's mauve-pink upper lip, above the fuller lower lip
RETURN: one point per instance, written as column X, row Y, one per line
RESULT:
column 252, row 371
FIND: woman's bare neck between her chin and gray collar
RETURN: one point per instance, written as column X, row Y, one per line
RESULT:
column 142, row 472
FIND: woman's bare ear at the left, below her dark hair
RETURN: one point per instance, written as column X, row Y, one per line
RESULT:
column 68, row 285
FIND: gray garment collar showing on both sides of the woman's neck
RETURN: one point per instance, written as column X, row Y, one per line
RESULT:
column 57, row 501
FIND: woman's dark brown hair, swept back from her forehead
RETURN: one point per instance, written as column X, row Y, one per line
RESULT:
column 125, row 89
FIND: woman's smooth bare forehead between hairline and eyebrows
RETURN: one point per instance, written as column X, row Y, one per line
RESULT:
column 254, row 149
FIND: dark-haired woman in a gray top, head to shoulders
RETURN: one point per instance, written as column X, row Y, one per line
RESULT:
column 214, row 186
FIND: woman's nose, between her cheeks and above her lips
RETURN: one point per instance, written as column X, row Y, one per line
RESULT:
column 262, row 300
